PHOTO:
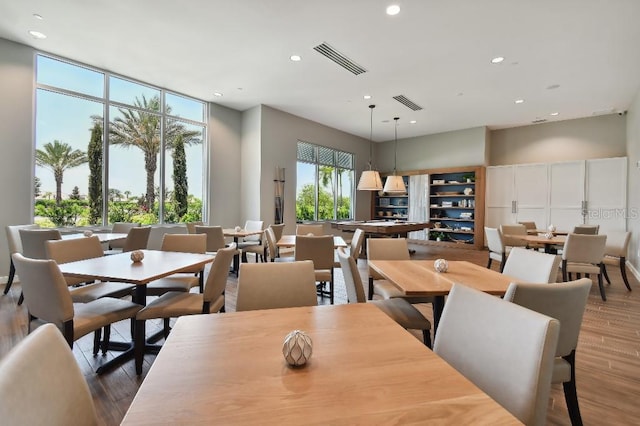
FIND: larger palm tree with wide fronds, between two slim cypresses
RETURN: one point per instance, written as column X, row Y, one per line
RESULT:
column 140, row 127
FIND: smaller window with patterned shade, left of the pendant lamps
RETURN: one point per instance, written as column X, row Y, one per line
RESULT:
column 324, row 183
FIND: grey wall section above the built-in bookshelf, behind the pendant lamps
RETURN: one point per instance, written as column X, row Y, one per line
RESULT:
column 450, row 149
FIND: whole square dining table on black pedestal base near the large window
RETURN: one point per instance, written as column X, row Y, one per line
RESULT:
column 119, row 267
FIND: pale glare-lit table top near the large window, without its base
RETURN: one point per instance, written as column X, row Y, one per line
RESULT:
column 119, row 267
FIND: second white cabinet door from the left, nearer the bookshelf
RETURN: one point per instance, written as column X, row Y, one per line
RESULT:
column 532, row 193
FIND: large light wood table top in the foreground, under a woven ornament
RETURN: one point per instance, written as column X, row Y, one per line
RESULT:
column 365, row 369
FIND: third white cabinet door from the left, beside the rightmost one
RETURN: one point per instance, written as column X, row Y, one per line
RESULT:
column 566, row 194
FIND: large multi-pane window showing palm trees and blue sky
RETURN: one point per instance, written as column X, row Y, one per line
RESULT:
column 109, row 149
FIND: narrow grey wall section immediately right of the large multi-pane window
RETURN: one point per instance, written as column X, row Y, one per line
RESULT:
column 223, row 198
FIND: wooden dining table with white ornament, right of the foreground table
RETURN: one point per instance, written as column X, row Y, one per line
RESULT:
column 419, row 278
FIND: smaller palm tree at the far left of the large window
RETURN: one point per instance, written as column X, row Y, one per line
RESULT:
column 58, row 157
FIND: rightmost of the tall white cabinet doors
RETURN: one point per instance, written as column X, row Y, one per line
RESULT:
column 606, row 193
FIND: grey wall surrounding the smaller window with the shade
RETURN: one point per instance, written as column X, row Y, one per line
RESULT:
column 280, row 134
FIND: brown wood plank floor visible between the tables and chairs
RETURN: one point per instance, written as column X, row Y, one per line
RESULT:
column 608, row 355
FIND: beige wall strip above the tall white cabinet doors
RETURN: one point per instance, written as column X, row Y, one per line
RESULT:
column 579, row 139
